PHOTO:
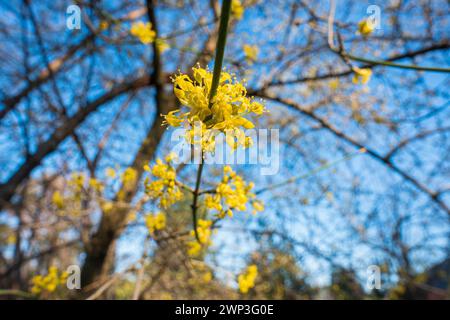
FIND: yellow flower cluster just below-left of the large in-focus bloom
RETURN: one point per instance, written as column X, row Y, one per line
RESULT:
column 164, row 187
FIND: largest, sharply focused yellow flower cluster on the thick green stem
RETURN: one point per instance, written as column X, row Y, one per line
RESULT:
column 226, row 112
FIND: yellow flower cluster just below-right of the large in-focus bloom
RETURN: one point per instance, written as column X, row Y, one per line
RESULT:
column 232, row 193
